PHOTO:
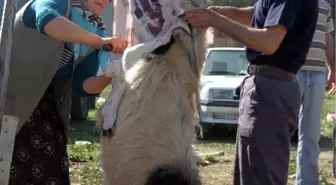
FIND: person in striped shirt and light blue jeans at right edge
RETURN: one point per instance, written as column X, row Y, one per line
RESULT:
column 312, row 81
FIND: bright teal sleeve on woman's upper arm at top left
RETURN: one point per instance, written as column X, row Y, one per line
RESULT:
column 40, row 12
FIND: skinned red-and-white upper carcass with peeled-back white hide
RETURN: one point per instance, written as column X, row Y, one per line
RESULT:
column 145, row 32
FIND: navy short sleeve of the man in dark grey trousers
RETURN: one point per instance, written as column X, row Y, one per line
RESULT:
column 283, row 12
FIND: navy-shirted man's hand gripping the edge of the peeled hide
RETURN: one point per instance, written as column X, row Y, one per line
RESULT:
column 202, row 17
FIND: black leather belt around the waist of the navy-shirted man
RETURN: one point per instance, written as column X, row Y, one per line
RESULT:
column 269, row 71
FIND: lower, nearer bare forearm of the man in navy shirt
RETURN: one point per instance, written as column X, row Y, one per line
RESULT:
column 266, row 40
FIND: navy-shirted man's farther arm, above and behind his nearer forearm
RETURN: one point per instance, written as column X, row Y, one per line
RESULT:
column 240, row 15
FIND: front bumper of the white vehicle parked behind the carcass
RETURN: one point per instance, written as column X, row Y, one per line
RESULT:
column 219, row 113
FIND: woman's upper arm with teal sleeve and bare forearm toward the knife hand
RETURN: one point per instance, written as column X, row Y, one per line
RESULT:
column 48, row 17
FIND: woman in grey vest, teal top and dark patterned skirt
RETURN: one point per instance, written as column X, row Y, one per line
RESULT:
column 43, row 72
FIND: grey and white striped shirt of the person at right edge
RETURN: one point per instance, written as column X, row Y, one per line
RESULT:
column 316, row 58
